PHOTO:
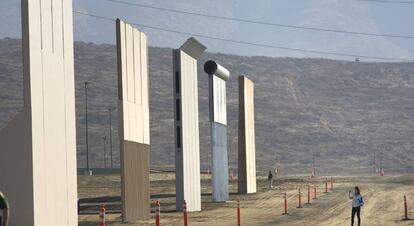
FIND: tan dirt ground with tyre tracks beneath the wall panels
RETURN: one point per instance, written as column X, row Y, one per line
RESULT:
column 383, row 198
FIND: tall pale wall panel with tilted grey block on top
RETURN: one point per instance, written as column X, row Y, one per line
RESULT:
column 187, row 147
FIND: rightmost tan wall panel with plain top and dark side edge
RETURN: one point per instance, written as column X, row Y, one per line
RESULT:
column 247, row 147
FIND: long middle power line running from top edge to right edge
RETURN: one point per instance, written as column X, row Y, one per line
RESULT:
column 262, row 22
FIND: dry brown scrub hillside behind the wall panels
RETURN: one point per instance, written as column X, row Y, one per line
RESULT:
column 344, row 112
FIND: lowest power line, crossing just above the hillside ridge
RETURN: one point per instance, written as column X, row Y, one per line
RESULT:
column 251, row 43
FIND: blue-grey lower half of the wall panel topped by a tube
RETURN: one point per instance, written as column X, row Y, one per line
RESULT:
column 220, row 162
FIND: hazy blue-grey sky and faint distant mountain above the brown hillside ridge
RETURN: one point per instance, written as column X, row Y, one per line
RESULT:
column 335, row 14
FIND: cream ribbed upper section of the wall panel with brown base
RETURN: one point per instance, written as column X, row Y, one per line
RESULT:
column 133, row 84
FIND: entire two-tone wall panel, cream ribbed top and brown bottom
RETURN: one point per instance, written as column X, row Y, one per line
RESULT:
column 134, row 121
